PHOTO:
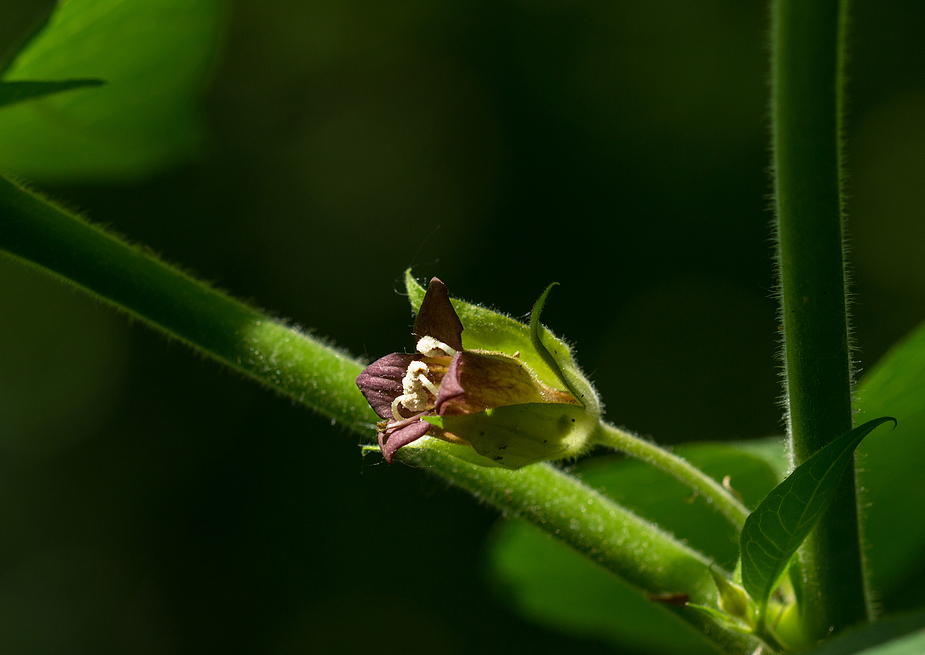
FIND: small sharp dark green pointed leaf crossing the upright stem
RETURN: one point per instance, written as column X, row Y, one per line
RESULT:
column 776, row 529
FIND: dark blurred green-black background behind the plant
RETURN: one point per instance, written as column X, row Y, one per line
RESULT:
column 152, row 501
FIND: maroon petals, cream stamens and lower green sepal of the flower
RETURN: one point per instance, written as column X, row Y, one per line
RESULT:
column 489, row 401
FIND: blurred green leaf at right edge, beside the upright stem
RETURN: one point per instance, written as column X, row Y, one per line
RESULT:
column 890, row 473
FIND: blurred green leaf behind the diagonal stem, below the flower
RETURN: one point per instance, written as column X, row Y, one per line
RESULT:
column 554, row 585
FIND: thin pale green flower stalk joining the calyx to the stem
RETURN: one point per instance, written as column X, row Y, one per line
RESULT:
column 721, row 499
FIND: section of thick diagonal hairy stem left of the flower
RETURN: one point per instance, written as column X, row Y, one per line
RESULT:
column 170, row 301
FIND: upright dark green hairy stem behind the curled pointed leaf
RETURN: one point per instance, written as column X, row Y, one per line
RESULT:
column 807, row 88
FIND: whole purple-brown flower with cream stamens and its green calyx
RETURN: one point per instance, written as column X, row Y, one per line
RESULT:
column 523, row 401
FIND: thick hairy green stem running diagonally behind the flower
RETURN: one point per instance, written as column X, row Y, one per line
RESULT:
column 318, row 376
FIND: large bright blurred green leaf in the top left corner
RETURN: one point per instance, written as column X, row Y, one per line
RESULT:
column 154, row 56
